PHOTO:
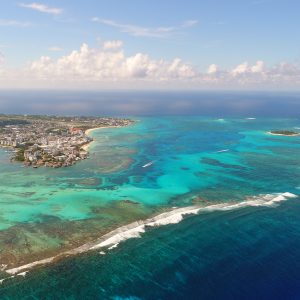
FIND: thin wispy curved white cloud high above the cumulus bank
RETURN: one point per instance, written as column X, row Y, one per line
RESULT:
column 139, row 31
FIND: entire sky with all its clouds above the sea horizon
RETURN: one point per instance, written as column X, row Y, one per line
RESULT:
column 139, row 44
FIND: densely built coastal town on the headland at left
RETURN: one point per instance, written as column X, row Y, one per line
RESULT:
column 50, row 141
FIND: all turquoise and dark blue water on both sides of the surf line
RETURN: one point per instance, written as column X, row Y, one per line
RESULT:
column 45, row 211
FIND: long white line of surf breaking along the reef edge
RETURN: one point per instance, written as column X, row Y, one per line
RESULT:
column 134, row 229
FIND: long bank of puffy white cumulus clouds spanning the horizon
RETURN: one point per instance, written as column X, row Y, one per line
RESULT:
column 109, row 66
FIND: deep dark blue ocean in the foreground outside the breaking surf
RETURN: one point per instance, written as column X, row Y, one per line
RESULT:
column 247, row 254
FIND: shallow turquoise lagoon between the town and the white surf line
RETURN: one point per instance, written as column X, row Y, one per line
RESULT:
column 46, row 211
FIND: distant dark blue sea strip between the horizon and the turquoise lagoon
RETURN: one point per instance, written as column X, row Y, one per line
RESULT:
column 147, row 103
